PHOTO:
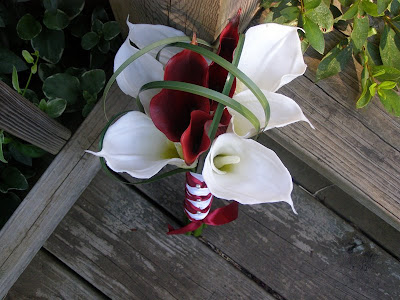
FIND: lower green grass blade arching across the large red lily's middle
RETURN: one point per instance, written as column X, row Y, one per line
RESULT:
column 205, row 92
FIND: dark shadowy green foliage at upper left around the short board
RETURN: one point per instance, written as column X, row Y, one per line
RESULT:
column 42, row 59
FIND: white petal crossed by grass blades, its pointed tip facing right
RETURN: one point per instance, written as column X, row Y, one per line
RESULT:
column 284, row 111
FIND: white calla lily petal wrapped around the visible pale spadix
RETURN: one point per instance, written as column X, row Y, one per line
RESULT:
column 259, row 177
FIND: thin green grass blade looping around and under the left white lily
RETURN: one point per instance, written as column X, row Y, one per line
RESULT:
column 116, row 177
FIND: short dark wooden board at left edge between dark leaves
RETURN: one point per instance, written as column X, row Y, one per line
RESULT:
column 22, row 119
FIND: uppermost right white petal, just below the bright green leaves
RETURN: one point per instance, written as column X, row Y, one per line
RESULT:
column 272, row 56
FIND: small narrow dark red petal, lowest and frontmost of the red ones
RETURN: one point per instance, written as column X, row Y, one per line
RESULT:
column 195, row 139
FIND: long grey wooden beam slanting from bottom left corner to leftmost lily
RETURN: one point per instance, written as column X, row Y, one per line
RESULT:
column 53, row 195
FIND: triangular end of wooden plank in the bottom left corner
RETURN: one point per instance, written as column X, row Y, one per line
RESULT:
column 48, row 278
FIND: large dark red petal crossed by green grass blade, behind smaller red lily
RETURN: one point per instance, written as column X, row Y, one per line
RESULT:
column 170, row 110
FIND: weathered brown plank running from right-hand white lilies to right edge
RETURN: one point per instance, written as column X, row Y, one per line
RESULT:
column 346, row 151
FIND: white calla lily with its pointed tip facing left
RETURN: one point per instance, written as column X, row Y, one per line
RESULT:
column 135, row 146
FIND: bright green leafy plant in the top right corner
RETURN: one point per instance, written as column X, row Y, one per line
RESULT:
column 371, row 35
